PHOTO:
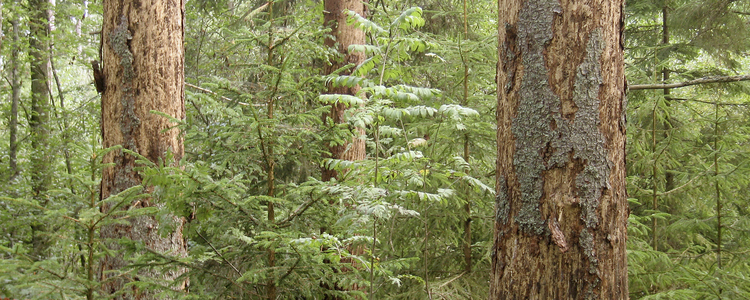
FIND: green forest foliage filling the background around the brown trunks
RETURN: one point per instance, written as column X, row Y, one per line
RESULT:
column 393, row 225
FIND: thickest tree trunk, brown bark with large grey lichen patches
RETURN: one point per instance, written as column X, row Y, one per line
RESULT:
column 561, row 207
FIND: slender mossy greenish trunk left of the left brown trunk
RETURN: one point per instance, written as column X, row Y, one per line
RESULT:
column 38, row 123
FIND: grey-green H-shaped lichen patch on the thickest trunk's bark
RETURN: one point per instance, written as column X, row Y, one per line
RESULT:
column 539, row 126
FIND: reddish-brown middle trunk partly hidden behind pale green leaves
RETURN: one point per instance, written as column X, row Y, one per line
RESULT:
column 344, row 35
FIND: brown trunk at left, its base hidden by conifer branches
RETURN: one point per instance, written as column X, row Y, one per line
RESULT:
column 144, row 70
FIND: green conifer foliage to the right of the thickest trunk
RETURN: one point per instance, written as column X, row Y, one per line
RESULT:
column 687, row 150
